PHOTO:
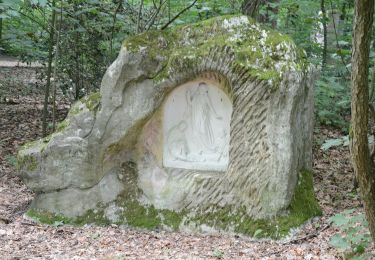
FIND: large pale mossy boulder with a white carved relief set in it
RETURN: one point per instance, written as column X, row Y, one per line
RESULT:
column 204, row 127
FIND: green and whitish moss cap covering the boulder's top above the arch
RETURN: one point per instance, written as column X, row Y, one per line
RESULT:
column 265, row 54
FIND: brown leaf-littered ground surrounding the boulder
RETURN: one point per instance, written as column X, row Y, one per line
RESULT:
column 20, row 121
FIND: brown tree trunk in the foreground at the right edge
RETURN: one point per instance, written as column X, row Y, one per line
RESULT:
column 362, row 163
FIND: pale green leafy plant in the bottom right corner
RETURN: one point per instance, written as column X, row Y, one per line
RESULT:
column 354, row 236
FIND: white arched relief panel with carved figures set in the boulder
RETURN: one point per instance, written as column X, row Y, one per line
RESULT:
column 196, row 127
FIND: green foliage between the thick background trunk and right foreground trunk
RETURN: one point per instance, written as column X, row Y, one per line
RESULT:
column 302, row 20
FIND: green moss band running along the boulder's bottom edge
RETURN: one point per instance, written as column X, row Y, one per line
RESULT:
column 303, row 207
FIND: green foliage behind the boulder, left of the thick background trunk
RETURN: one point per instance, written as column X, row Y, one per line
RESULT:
column 88, row 33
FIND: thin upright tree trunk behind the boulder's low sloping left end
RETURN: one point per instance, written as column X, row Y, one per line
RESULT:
column 49, row 67
